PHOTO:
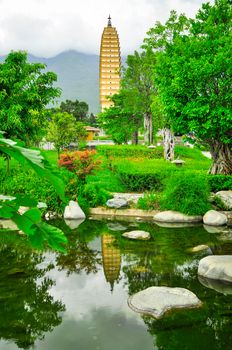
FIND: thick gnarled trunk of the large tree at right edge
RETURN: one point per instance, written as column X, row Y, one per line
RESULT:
column 222, row 158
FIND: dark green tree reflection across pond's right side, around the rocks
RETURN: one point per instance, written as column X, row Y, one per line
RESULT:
column 165, row 261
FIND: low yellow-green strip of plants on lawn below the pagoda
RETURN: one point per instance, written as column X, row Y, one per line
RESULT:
column 128, row 151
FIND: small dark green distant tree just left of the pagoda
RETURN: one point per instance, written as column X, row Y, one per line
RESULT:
column 78, row 109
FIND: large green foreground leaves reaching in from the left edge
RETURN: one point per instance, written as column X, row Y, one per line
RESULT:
column 30, row 222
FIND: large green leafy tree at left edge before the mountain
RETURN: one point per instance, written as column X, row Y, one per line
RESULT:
column 25, row 90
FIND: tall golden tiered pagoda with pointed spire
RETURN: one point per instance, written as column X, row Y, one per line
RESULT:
column 110, row 64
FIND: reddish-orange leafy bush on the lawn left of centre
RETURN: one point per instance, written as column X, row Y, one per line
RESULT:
column 82, row 163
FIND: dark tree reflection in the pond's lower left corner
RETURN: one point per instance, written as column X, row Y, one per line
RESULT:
column 27, row 308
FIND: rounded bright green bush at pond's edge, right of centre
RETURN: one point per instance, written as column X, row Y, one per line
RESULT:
column 186, row 192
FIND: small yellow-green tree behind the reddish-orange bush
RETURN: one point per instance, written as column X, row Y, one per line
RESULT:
column 64, row 129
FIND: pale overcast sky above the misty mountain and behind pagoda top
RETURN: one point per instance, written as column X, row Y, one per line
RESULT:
column 48, row 27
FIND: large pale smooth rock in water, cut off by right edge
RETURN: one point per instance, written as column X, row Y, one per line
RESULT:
column 217, row 267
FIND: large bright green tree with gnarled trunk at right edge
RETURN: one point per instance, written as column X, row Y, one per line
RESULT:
column 194, row 77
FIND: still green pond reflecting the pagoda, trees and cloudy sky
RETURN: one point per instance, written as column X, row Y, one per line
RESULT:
column 78, row 300
